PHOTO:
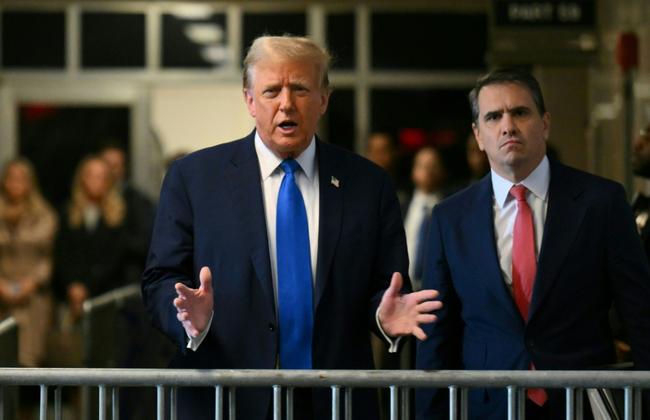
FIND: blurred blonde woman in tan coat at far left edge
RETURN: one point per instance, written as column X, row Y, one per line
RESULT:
column 27, row 229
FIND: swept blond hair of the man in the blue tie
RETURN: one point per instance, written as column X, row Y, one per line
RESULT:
column 288, row 47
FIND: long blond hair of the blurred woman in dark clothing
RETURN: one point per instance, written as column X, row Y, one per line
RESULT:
column 112, row 206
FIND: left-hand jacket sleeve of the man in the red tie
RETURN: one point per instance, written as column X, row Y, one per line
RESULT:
column 441, row 350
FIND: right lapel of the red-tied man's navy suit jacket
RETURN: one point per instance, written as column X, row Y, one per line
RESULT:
column 563, row 218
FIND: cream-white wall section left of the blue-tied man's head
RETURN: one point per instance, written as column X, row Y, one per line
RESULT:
column 195, row 116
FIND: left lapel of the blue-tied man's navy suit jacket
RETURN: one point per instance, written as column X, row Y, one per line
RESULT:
column 248, row 202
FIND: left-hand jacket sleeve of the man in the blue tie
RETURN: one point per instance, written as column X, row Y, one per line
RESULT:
column 170, row 257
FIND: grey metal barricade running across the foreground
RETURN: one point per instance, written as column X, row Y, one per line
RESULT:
column 108, row 381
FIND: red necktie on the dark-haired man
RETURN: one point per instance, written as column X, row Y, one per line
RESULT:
column 524, row 267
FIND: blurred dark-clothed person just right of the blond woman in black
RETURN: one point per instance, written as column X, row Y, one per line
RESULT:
column 140, row 212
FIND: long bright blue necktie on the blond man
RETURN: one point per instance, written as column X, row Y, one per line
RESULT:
column 294, row 274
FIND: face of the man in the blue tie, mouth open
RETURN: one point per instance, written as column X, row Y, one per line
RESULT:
column 286, row 100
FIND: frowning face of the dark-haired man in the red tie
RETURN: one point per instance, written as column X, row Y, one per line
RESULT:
column 510, row 130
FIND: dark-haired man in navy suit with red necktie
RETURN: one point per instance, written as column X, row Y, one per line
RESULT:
column 528, row 261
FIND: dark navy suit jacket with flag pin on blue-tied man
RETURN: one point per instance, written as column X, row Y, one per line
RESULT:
column 211, row 214
